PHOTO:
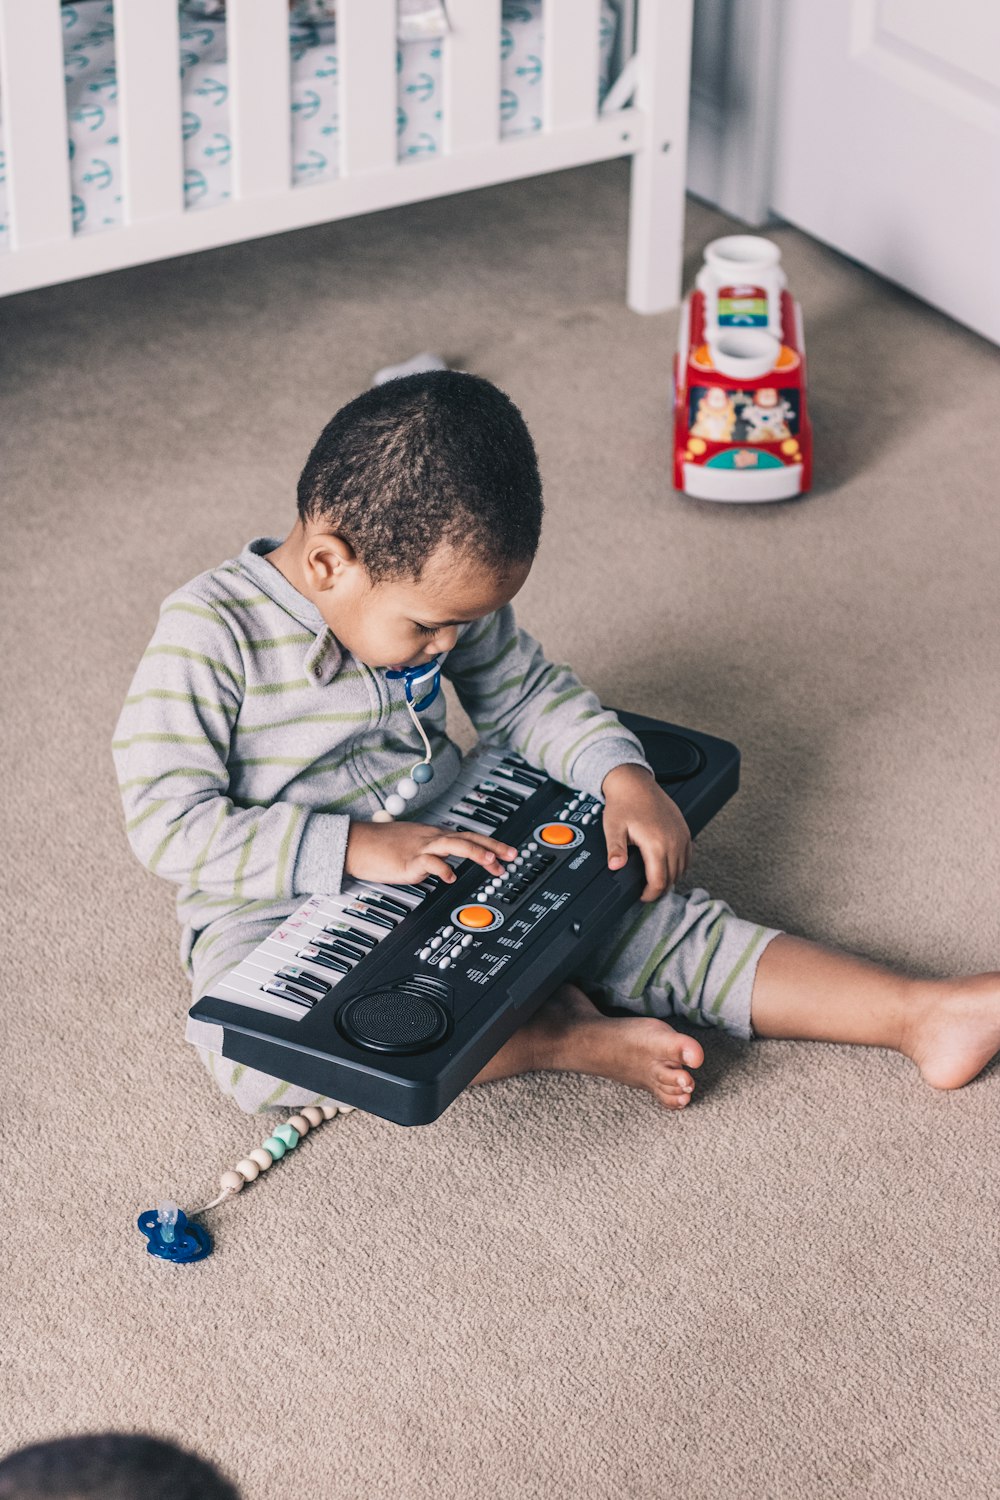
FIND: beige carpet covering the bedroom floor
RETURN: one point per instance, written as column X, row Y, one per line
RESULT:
column 557, row 1291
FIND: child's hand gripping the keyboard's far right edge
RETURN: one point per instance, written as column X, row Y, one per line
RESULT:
column 636, row 811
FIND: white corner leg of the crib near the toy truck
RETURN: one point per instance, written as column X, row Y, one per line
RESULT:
column 656, row 217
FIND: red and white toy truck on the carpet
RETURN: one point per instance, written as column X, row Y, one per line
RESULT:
column 741, row 424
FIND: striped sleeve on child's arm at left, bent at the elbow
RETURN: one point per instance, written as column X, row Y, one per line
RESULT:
column 170, row 748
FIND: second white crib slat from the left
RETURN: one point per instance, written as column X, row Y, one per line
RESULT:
column 146, row 41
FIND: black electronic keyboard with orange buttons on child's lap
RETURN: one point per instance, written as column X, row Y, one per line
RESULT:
column 394, row 998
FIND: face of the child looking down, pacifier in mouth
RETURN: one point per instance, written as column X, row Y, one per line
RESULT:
column 404, row 622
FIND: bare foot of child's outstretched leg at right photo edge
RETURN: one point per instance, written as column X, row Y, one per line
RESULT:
column 956, row 1030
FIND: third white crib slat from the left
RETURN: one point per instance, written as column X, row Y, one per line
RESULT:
column 260, row 97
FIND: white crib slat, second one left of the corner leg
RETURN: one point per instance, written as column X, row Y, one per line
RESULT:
column 473, row 76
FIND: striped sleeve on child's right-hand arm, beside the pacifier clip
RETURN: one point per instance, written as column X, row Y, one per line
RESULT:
column 513, row 695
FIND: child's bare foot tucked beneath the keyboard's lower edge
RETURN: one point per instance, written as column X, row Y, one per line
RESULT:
column 569, row 1034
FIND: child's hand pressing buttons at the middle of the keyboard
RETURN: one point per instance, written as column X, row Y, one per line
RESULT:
column 406, row 854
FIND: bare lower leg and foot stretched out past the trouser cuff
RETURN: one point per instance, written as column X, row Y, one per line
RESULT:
column 950, row 1028
